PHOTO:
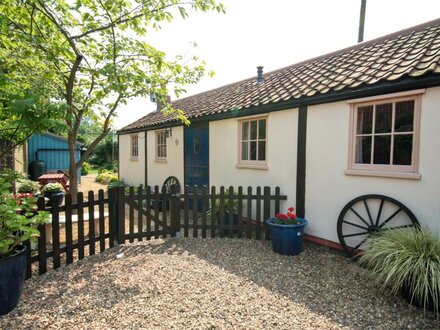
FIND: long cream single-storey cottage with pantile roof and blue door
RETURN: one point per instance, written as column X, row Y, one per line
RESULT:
column 362, row 120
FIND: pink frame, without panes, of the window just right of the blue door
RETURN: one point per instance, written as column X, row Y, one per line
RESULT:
column 252, row 164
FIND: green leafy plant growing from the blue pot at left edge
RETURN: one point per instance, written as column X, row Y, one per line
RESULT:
column 19, row 217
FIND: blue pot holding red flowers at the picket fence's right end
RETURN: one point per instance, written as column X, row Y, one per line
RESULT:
column 287, row 239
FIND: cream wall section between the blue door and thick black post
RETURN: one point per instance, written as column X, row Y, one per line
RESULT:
column 281, row 151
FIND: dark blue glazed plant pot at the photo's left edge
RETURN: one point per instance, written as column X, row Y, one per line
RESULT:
column 12, row 274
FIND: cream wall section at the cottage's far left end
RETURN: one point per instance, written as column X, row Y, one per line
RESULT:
column 131, row 171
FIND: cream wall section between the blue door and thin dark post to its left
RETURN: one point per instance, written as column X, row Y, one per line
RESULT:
column 159, row 171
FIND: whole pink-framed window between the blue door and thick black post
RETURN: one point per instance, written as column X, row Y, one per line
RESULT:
column 253, row 143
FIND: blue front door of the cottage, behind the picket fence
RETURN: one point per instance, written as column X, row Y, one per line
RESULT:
column 197, row 155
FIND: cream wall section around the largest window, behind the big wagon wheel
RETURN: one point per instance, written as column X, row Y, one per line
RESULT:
column 328, row 189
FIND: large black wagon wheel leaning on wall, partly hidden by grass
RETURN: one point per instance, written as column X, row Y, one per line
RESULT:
column 369, row 214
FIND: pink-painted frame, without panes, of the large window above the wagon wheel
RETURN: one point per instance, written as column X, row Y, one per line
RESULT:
column 396, row 171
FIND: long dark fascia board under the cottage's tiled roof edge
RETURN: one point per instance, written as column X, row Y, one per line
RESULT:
column 387, row 87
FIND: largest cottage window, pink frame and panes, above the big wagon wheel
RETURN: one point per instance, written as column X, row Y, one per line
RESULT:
column 384, row 137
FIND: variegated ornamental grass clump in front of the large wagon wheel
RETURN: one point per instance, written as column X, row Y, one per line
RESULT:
column 407, row 260
